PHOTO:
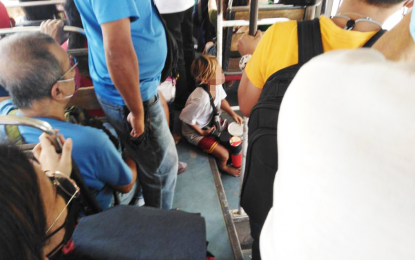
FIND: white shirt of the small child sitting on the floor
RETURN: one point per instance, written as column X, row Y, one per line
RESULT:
column 198, row 109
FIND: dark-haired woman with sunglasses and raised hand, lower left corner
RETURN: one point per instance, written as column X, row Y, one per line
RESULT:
column 34, row 200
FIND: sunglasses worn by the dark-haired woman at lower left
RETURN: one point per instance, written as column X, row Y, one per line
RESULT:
column 67, row 186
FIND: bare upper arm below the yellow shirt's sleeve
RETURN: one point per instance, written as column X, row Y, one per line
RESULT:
column 248, row 95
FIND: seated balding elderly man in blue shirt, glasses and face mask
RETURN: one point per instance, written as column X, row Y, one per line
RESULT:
column 40, row 78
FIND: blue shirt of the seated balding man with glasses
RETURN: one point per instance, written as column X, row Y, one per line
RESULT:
column 99, row 162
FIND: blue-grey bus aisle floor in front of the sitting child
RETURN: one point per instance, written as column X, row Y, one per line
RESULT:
column 202, row 189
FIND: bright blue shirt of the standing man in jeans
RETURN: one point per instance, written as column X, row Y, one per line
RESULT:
column 147, row 34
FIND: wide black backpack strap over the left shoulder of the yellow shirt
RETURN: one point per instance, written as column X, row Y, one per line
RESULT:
column 309, row 40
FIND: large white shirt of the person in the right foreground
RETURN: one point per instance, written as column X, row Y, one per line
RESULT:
column 345, row 187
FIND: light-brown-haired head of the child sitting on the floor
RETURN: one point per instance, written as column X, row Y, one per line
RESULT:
column 207, row 70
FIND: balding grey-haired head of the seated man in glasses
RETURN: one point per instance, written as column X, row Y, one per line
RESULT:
column 34, row 67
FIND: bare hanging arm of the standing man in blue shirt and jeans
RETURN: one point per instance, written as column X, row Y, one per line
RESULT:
column 123, row 68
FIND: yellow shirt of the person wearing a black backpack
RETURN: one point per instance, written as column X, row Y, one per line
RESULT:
column 278, row 47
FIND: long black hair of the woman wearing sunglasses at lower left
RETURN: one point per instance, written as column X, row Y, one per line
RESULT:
column 22, row 215
